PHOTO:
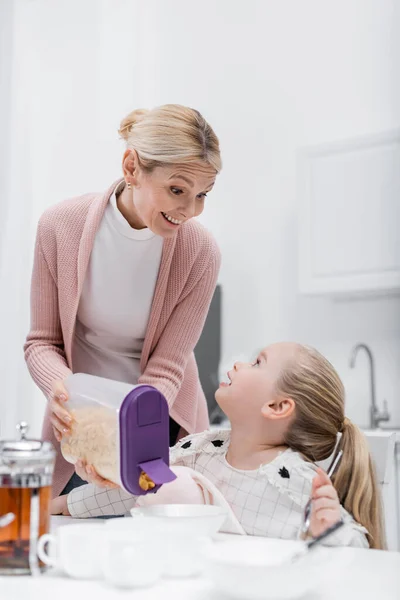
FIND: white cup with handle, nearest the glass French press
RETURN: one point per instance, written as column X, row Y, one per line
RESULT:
column 76, row 549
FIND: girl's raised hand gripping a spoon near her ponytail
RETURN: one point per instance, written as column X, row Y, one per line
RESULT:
column 325, row 508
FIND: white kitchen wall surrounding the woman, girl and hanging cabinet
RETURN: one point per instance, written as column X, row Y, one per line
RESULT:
column 270, row 76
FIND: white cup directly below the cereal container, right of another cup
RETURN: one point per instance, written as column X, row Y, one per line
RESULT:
column 131, row 561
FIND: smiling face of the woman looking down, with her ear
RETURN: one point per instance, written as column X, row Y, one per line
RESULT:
column 168, row 196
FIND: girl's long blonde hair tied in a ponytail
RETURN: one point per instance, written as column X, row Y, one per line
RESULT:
column 312, row 382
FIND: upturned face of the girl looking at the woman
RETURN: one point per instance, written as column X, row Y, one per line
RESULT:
column 253, row 385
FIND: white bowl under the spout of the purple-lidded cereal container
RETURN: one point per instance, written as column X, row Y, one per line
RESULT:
column 181, row 519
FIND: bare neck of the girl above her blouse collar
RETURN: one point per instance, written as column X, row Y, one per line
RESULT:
column 247, row 453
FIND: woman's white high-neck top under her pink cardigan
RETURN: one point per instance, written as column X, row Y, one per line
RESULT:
column 116, row 299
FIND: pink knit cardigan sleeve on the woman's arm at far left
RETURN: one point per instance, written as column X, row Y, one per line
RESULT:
column 44, row 347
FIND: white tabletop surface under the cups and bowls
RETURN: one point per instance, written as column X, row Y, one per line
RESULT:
column 374, row 575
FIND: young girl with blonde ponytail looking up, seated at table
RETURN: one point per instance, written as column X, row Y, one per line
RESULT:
column 287, row 413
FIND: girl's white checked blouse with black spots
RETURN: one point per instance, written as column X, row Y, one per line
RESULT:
column 268, row 501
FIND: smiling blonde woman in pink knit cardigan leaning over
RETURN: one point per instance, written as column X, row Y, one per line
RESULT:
column 122, row 281
